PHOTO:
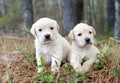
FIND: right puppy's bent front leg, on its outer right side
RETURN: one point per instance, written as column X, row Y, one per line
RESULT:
column 86, row 65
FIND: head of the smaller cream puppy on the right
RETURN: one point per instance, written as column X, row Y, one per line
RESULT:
column 83, row 35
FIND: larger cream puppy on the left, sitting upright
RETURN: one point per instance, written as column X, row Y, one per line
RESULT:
column 49, row 44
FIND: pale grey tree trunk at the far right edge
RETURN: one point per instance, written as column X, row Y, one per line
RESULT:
column 117, row 20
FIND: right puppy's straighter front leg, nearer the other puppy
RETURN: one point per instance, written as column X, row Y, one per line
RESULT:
column 75, row 62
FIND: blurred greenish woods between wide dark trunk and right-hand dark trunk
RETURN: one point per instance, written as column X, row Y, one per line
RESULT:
column 95, row 14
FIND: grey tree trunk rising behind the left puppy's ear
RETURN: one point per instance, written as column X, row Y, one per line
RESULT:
column 27, row 13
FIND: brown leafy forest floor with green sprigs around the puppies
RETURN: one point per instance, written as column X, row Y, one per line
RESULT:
column 18, row 64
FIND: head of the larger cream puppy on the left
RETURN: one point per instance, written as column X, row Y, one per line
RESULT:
column 45, row 29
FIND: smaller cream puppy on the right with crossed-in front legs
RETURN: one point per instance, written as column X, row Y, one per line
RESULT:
column 82, row 47
